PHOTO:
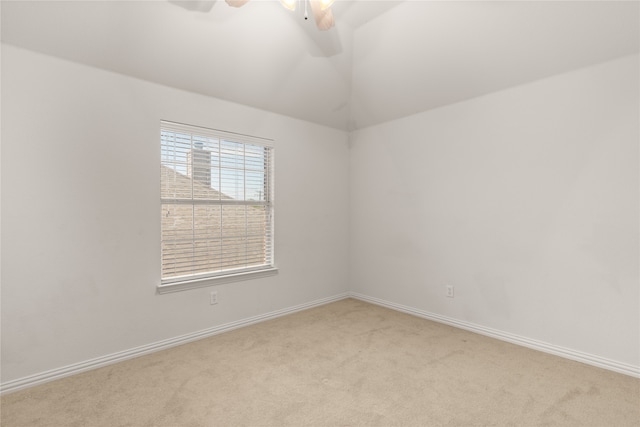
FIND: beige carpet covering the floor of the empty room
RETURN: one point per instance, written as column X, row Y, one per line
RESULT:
column 344, row 364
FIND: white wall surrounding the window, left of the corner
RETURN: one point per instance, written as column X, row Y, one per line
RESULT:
column 81, row 224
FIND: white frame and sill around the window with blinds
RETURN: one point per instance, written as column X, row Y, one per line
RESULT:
column 198, row 280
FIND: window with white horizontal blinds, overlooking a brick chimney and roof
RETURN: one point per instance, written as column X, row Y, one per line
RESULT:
column 216, row 204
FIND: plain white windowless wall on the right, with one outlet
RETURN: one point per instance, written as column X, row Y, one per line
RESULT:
column 526, row 200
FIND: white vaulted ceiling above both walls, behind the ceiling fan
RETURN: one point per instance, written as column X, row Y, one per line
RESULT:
column 382, row 61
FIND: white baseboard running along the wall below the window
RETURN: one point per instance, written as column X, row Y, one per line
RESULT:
column 76, row 368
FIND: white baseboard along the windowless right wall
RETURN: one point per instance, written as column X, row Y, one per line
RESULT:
column 566, row 353
